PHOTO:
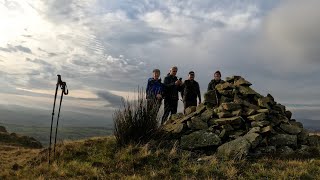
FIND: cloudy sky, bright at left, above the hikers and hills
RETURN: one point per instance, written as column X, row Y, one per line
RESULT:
column 106, row 50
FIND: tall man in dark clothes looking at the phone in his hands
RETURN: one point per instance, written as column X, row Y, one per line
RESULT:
column 172, row 87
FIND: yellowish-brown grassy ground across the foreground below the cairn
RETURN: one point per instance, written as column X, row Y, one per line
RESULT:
column 100, row 158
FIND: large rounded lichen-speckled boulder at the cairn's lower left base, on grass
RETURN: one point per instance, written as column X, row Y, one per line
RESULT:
column 199, row 139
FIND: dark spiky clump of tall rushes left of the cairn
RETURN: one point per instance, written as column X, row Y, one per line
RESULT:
column 136, row 122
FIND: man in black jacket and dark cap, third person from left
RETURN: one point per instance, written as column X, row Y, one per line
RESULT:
column 190, row 91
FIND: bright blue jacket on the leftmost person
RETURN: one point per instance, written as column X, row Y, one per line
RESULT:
column 154, row 87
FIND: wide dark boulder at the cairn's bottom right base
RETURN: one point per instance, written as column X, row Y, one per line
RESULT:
column 280, row 140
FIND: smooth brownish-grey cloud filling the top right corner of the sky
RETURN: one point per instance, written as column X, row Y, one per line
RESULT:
column 292, row 31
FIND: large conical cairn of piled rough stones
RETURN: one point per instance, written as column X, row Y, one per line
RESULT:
column 241, row 123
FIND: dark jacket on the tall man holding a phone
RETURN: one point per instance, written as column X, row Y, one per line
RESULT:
column 171, row 90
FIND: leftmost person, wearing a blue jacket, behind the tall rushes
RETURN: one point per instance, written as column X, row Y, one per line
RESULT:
column 154, row 91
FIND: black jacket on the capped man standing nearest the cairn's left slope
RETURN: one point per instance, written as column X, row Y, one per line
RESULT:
column 190, row 91
